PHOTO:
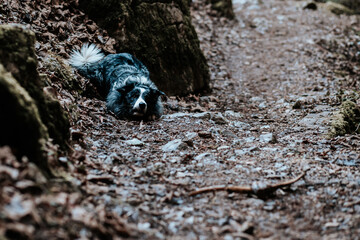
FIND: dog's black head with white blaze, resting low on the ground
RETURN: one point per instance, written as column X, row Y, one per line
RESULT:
column 140, row 100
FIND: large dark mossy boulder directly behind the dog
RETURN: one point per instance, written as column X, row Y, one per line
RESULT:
column 160, row 34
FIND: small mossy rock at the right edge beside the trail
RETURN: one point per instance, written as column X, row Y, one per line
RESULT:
column 347, row 120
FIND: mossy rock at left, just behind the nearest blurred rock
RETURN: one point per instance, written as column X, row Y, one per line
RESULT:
column 17, row 54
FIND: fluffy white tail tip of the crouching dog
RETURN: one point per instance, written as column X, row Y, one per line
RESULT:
column 88, row 55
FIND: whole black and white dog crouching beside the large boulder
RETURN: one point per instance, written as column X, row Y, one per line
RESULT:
column 124, row 79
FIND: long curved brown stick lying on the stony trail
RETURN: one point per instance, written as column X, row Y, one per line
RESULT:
column 256, row 189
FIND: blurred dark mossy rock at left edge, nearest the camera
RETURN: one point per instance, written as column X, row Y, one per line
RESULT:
column 20, row 123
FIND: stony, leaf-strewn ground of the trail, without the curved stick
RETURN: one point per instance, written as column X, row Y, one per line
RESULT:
column 278, row 75
